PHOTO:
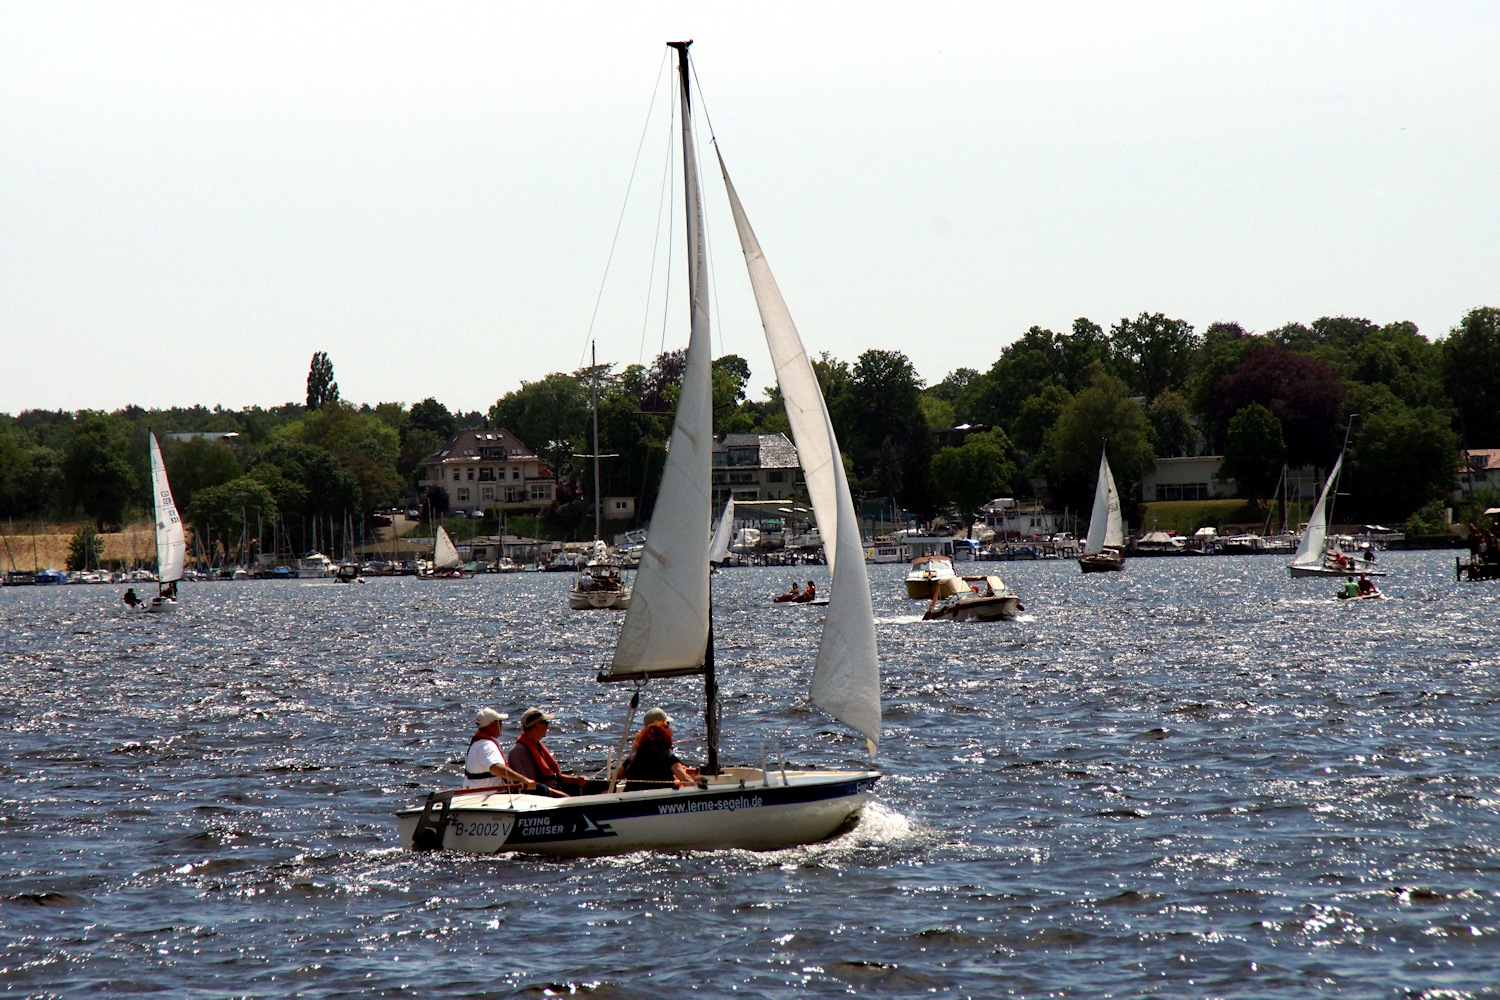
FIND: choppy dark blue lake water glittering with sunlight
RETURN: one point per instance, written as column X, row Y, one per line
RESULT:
column 1193, row 779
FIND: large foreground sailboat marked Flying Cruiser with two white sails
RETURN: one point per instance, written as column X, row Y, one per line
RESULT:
column 668, row 630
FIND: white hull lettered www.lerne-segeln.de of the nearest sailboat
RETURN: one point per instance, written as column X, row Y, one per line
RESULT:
column 742, row 809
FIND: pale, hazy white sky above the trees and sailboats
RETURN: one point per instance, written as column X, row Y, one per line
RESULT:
column 196, row 199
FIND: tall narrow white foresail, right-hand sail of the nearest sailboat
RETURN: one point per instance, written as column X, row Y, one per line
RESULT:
column 847, row 680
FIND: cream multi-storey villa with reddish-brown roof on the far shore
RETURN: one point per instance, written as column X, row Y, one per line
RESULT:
column 490, row 470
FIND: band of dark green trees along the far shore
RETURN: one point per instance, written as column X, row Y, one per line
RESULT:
column 1147, row 389
